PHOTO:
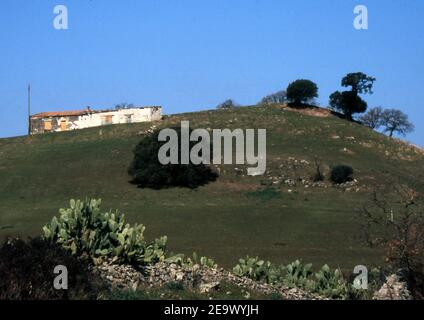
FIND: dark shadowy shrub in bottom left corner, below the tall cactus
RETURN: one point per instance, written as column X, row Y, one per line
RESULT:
column 27, row 272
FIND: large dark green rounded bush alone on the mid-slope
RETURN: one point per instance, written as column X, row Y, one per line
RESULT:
column 148, row 172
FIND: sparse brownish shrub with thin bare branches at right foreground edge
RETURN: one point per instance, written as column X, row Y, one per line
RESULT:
column 395, row 220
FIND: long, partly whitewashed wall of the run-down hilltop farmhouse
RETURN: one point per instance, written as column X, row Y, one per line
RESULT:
column 95, row 119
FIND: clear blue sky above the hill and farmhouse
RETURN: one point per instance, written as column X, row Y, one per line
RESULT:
column 191, row 55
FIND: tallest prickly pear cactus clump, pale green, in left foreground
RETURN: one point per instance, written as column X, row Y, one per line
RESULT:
column 84, row 230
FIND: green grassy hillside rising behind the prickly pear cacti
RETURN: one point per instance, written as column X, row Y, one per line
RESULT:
column 235, row 216
